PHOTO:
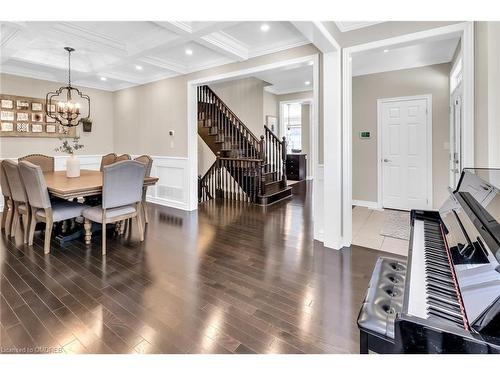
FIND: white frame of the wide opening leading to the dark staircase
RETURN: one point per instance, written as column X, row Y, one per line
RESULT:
column 192, row 114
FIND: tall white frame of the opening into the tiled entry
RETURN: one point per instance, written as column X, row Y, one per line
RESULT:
column 465, row 30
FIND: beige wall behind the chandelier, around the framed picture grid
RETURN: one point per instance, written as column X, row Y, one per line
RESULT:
column 99, row 141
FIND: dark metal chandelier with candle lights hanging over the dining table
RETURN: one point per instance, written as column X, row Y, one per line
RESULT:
column 60, row 105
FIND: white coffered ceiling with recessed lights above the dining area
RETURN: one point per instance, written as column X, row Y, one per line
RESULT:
column 116, row 55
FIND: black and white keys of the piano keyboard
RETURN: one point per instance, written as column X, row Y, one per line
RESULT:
column 431, row 268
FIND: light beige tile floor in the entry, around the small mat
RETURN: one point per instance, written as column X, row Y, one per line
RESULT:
column 366, row 226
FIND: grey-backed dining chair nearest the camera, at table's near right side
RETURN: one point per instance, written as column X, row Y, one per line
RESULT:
column 121, row 197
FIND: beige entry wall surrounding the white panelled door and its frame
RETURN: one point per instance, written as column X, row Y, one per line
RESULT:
column 366, row 90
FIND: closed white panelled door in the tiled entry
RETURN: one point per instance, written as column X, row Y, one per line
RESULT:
column 405, row 153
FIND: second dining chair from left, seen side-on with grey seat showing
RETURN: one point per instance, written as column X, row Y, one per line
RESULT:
column 42, row 209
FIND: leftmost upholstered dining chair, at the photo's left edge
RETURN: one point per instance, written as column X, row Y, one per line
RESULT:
column 20, row 205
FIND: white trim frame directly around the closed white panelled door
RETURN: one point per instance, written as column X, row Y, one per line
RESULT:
column 380, row 140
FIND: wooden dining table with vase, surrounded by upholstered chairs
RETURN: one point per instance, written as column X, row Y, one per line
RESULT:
column 88, row 184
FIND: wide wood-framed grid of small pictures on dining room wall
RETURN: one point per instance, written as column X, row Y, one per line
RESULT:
column 22, row 116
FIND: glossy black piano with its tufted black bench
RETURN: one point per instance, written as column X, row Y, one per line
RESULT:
column 446, row 297
